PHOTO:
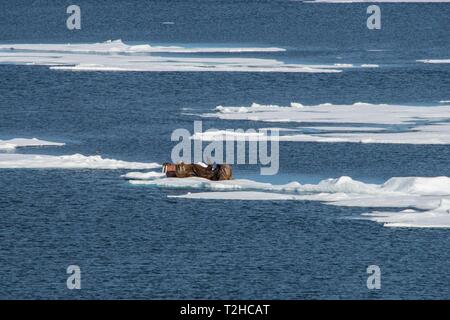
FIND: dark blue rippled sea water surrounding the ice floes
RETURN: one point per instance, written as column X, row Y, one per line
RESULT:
column 134, row 241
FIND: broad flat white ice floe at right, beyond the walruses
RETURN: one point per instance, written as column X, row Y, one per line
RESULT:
column 403, row 124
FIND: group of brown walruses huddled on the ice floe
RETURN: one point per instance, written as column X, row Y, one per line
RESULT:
column 214, row 172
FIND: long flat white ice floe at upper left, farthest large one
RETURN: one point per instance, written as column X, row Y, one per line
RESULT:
column 117, row 56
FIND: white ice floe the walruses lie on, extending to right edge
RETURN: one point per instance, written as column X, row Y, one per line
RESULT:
column 426, row 195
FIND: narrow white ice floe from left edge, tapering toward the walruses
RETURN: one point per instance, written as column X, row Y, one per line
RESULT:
column 76, row 161
